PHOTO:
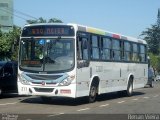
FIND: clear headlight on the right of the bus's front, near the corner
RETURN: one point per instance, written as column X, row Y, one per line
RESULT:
column 67, row 81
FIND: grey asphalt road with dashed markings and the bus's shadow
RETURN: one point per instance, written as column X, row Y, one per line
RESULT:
column 144, row 104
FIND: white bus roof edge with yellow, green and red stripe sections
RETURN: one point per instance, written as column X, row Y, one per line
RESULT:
column 95, row 31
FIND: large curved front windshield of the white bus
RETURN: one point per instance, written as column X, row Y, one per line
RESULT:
column 47, row 55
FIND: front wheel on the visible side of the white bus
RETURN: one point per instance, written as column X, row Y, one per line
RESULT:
column 92, row 93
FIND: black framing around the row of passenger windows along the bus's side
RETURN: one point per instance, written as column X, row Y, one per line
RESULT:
column 121, row 49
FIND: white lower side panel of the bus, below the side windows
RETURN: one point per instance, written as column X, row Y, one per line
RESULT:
column 113, row 76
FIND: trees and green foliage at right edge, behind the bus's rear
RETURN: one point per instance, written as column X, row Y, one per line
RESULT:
column 152, row 36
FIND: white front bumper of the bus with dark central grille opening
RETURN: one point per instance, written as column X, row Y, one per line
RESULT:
column 60, row 91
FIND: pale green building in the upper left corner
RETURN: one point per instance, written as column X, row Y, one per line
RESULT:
column 6, row 15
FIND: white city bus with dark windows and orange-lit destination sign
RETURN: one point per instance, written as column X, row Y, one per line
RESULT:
column 71, row 60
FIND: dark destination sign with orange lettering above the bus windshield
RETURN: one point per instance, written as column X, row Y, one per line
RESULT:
column 48, row 30
